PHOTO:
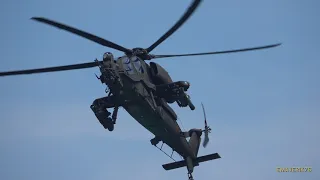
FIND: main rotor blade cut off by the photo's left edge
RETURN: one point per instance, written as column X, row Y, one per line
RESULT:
column 51, row 69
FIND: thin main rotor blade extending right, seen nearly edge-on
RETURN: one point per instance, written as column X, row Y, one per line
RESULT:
column 217, row 52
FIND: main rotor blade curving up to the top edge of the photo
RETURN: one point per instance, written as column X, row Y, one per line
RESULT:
column 178, row 24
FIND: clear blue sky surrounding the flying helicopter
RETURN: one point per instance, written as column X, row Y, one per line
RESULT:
column 263, row 106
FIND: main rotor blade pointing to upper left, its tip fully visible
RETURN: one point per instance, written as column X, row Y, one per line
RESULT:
column 83, row 34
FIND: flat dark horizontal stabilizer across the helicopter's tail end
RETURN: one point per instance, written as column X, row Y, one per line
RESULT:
column 183, row 163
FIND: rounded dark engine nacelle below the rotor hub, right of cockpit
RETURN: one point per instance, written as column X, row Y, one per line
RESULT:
column 159, row 74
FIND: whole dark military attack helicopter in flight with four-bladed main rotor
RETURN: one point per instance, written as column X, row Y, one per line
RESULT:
column 144, row 91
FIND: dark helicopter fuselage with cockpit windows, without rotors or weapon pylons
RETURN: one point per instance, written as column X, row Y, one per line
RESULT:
column 134, row 90
